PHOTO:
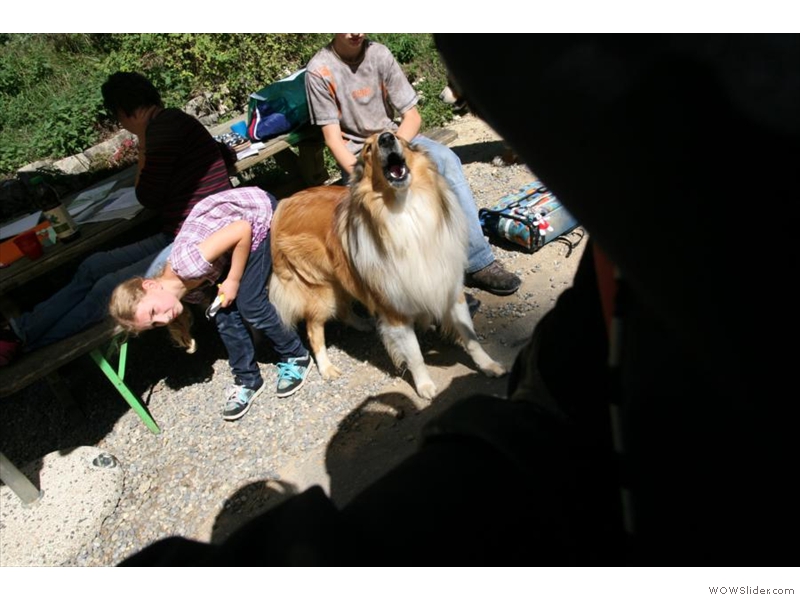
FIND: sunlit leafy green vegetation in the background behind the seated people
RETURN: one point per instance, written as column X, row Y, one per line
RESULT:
column 50, row 102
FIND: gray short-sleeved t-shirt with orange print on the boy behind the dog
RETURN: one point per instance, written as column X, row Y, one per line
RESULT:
column 363, row 99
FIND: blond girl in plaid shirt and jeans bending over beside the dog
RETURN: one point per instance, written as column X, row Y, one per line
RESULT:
column 231, row 227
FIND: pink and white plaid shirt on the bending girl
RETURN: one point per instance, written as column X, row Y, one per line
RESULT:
column 211, row 214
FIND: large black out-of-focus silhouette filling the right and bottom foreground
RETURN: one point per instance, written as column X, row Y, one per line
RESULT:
column 653, row 143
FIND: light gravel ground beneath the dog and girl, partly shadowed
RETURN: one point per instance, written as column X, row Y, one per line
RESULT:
column 202, row 476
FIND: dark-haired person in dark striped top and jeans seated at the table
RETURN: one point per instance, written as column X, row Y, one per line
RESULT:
column 179, row 164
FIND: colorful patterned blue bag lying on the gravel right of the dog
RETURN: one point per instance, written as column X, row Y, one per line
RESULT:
column 529, row 218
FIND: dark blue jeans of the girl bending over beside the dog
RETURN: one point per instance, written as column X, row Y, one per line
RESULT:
column 252, row 305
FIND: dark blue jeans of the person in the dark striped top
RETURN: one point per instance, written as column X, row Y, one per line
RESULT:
column 84, row 300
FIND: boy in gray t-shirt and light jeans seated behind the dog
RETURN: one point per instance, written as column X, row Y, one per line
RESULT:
column 354, row 86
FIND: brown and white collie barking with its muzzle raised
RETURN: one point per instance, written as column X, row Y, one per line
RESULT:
column 395, row 240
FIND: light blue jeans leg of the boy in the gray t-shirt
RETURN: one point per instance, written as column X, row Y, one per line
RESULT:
column 449, row 165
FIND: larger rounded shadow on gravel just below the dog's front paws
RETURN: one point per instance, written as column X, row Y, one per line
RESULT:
column 383, row 431
